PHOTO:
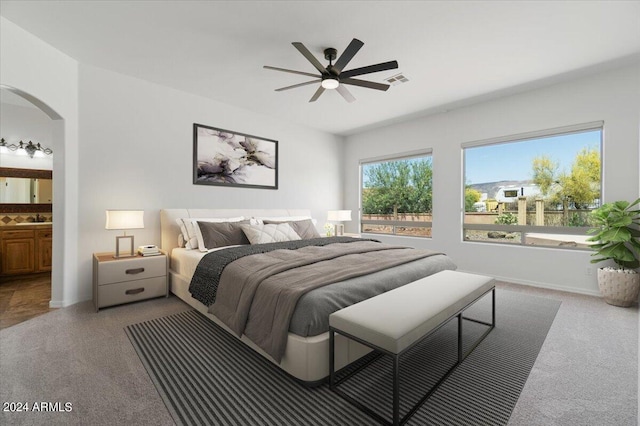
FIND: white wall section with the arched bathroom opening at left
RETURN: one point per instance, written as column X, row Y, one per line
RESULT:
column 50, row 79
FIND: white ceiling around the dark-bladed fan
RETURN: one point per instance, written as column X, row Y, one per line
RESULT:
column 453, row 52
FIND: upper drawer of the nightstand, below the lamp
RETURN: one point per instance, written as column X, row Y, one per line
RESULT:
column 132, row 269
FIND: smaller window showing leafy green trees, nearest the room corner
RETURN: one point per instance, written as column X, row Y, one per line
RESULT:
column 396, row 195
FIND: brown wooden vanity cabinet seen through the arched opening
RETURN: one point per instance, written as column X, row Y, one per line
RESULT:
column 25, row 249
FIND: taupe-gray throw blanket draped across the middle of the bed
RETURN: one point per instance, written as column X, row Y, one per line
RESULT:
column 257, row 294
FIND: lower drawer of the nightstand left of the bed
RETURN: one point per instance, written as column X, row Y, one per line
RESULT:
column 131, row 291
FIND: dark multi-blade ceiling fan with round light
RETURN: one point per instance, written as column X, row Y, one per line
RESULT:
column 333, row 76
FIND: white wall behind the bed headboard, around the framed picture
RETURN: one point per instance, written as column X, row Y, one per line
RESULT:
column 136, row 152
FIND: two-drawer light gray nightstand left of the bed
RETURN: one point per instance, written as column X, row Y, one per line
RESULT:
column 129, row 279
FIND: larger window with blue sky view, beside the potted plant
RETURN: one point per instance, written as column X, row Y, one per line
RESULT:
column 533, row 189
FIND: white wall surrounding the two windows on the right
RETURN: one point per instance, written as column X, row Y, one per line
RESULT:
column 611, row 96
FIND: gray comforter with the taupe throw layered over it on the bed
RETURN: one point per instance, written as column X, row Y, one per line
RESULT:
column 260, row 294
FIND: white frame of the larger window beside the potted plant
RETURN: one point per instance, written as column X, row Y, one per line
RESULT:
column 524, row 229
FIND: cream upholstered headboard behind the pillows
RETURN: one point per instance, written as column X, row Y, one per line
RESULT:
column 169, row 229
